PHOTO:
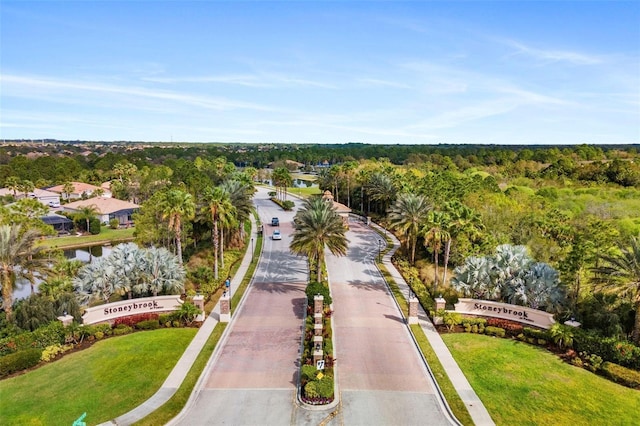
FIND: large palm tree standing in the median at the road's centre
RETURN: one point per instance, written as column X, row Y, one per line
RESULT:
column 317, row 226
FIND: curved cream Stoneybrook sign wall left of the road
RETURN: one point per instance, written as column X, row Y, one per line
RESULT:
column 125, row 308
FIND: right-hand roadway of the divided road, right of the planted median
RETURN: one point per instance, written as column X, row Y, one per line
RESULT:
column 382, row 378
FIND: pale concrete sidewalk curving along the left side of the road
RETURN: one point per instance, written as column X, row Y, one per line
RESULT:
column 179, row 372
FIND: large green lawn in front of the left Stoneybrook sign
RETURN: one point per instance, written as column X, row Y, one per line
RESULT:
column 106, row 380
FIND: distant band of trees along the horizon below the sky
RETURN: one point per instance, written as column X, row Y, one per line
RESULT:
column 88, row 162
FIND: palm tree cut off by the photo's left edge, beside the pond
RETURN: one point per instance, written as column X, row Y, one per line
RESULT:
column 19, row 258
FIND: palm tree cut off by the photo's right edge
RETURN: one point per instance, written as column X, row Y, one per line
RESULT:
column 620, row 274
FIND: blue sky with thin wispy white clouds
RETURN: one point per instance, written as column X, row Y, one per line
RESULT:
column 418, row 72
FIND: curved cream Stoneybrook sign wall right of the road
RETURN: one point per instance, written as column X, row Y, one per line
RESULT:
column 517, row 313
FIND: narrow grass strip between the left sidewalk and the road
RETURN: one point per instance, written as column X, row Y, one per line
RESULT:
column 175, row 404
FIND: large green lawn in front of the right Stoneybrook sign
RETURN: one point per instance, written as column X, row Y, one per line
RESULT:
column 524, row 385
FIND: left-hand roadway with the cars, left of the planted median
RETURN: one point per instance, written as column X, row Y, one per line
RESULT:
column 253, row 378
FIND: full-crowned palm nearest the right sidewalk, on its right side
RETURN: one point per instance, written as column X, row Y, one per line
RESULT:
column 408, row 215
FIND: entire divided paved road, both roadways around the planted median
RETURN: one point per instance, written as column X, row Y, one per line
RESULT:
column 252, row 377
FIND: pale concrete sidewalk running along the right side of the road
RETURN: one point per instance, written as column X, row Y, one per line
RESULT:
column 474, row 405
